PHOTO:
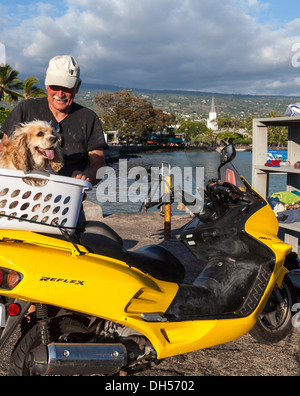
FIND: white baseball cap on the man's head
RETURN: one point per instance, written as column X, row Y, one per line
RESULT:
column 63, row 70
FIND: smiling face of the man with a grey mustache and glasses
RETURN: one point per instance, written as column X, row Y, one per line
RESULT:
column 61, row 98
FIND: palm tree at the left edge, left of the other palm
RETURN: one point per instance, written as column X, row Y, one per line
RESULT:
column 9, row 83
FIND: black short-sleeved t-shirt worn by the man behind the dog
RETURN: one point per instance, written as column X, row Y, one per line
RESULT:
column 81, row 130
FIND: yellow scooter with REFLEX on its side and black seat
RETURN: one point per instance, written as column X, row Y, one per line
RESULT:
column 100, row 309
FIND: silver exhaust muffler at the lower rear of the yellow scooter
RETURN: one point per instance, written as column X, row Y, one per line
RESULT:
column 76, row 359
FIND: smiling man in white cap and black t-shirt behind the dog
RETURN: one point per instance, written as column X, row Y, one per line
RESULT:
column 80, row 128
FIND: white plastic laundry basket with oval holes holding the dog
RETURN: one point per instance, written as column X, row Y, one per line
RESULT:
column 45, row 208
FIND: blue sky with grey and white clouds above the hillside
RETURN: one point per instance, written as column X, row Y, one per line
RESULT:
column 221, row 46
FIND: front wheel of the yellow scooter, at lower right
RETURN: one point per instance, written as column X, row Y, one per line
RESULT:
column 275, row 322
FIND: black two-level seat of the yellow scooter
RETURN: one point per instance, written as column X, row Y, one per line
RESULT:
column 153, row 260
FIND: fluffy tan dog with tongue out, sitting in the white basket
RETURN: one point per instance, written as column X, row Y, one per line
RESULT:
column 32, row 146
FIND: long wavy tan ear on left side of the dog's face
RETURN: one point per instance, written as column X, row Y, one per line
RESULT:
column 20, row 153
